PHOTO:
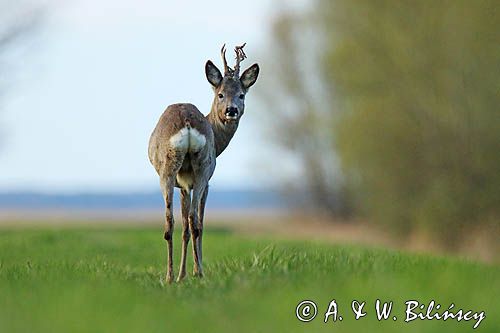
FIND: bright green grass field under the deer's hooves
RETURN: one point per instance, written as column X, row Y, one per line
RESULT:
column 110, row 280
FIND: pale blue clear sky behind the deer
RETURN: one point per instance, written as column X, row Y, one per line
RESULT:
column 102, row 72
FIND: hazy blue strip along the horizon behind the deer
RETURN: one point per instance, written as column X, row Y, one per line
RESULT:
column 217, row 199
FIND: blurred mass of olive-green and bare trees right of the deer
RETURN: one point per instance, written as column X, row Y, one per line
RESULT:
column 393, row 109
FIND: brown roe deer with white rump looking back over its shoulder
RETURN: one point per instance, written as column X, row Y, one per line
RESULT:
column 183, row 148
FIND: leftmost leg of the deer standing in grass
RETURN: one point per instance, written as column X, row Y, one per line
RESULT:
column 168, row 191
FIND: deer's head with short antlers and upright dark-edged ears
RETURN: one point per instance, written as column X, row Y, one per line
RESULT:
column 230, row 89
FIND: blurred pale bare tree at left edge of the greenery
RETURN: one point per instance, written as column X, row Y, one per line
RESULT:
column 296, row 94
